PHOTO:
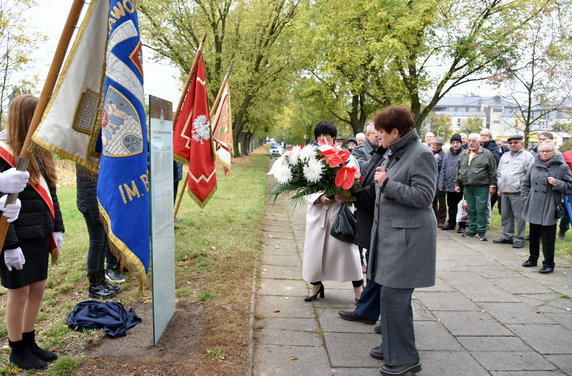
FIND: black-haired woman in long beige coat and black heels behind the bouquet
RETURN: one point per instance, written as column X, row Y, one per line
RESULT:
column 326, row 258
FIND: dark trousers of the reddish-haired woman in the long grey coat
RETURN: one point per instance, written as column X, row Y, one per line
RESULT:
column 398, row 343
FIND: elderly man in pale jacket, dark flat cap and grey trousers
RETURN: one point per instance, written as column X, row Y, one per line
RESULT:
column 512, row 170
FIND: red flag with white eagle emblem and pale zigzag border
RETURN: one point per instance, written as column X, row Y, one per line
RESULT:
column 192, row 139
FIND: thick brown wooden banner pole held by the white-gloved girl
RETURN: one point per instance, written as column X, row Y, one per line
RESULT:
column 45, row 95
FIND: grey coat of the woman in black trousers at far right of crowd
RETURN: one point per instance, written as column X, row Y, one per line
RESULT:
column 540, row 197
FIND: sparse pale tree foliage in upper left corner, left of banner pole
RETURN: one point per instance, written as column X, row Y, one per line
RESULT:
column 16, row 44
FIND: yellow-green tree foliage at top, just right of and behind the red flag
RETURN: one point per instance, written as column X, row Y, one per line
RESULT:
column 253, row 35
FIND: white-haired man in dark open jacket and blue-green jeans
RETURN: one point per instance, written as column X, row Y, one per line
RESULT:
column 477, row 173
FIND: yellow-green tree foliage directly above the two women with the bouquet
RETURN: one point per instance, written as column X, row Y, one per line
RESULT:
column 347, row 61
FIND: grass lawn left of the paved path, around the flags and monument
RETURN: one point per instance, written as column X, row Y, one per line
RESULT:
column 216, row 251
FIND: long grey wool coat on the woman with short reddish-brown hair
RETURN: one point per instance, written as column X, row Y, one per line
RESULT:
column 404, row 233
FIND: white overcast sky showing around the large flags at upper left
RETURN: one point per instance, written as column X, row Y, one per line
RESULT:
column 49, row 16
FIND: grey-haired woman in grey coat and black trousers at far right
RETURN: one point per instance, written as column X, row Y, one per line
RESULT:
column 542, row 191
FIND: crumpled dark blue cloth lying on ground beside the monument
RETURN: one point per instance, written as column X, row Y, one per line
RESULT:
column 110, row 316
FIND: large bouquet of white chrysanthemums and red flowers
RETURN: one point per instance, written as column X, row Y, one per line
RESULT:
column 304, row 170
